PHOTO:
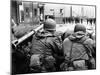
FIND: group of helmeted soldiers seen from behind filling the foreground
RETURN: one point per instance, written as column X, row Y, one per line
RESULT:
column 52, row 52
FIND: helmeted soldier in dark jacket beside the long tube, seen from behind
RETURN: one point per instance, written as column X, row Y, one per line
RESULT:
column 46, row 49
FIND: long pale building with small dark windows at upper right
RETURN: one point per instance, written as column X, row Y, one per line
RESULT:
column 67, row 12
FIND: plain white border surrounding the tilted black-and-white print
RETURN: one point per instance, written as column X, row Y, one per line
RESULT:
column 5, row 36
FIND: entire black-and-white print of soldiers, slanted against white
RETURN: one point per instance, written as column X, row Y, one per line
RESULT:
column 52, row 37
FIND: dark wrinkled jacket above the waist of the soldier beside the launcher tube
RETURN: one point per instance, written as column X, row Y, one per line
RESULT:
column 46, row 43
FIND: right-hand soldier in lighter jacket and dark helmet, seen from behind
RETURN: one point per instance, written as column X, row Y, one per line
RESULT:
column 78, row 49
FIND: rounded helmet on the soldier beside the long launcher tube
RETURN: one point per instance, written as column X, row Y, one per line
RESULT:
column 50, row 24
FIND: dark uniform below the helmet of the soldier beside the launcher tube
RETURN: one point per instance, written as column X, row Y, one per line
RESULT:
column 48, row 48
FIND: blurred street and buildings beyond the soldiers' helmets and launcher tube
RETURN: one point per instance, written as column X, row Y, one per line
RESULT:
column 26, row 16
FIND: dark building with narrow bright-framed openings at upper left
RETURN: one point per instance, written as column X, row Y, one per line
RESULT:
column 27, row 12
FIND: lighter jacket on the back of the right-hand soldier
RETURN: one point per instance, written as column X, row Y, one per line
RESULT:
column 73, row 42
